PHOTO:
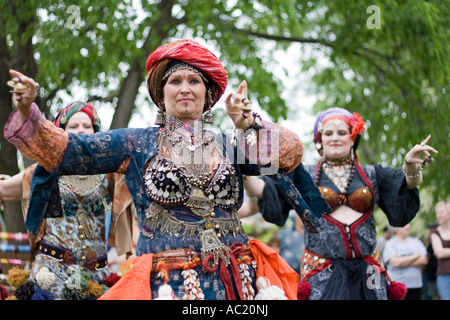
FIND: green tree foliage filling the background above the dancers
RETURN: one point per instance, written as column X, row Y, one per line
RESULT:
column 396, row 76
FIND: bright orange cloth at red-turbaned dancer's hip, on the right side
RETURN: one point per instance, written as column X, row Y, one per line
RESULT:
column 271, row 265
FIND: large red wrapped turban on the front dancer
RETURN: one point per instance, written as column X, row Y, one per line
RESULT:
column 191, row 53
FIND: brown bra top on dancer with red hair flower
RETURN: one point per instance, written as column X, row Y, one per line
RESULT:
column 358, row 196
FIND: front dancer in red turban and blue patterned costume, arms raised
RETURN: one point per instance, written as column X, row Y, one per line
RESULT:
column 186, row 181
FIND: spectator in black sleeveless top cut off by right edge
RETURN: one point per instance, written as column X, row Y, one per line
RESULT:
column 440, row 240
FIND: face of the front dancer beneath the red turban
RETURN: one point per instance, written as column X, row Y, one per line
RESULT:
column 184, row 95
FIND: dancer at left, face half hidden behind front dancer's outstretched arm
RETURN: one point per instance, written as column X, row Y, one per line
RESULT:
column 71, row 247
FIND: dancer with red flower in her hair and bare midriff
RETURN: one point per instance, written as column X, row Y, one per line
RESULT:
column 336, row 260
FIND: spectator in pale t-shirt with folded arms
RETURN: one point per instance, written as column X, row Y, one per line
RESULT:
column 405, row 256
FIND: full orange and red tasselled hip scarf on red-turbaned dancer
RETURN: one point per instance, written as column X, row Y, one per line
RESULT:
column 135, row 284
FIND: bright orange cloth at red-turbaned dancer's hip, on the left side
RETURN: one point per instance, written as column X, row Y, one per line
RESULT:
column 135, row 284
